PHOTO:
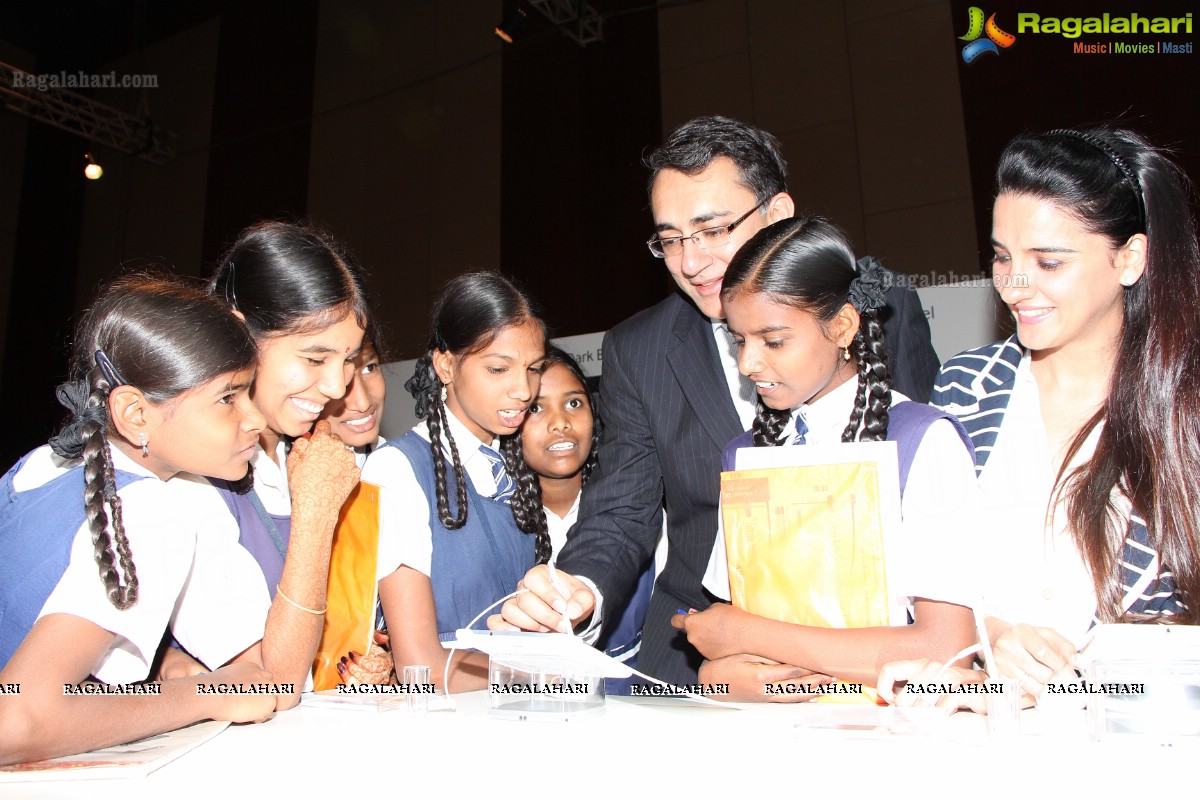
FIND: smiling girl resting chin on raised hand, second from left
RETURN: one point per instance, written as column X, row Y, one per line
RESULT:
column 305, row 304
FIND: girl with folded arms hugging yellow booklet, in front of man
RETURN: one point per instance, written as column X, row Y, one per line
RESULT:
column 809, row 336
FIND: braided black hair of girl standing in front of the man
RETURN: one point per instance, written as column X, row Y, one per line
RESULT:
column 807, row 263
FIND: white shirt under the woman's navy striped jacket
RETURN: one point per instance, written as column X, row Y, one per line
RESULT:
column 1034, row 574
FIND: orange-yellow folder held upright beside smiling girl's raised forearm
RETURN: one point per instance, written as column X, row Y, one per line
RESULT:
column 352, row 594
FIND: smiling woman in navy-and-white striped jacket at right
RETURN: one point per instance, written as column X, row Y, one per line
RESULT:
column 1084, row 423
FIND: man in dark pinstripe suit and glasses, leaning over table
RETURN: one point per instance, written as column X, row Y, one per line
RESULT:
column 671, row 399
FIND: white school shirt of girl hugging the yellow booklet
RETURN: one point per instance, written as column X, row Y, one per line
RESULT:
column 935, row 555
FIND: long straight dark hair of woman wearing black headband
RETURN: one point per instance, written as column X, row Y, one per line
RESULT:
column 1117, row 185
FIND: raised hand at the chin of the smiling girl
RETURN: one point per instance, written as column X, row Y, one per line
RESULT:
column 321, row 474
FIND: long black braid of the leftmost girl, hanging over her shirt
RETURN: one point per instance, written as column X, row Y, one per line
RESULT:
column 100, row 488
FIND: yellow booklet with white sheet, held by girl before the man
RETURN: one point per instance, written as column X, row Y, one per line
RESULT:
column 807, row 532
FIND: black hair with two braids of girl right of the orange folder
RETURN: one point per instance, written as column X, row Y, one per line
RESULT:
column 469, row 314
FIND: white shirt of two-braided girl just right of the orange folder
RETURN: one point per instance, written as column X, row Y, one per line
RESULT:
column 405, row 534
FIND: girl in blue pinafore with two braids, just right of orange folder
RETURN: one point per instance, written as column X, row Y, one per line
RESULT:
column 449, row 542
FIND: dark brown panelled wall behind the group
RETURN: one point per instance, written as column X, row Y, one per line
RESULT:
column 433, row 149
